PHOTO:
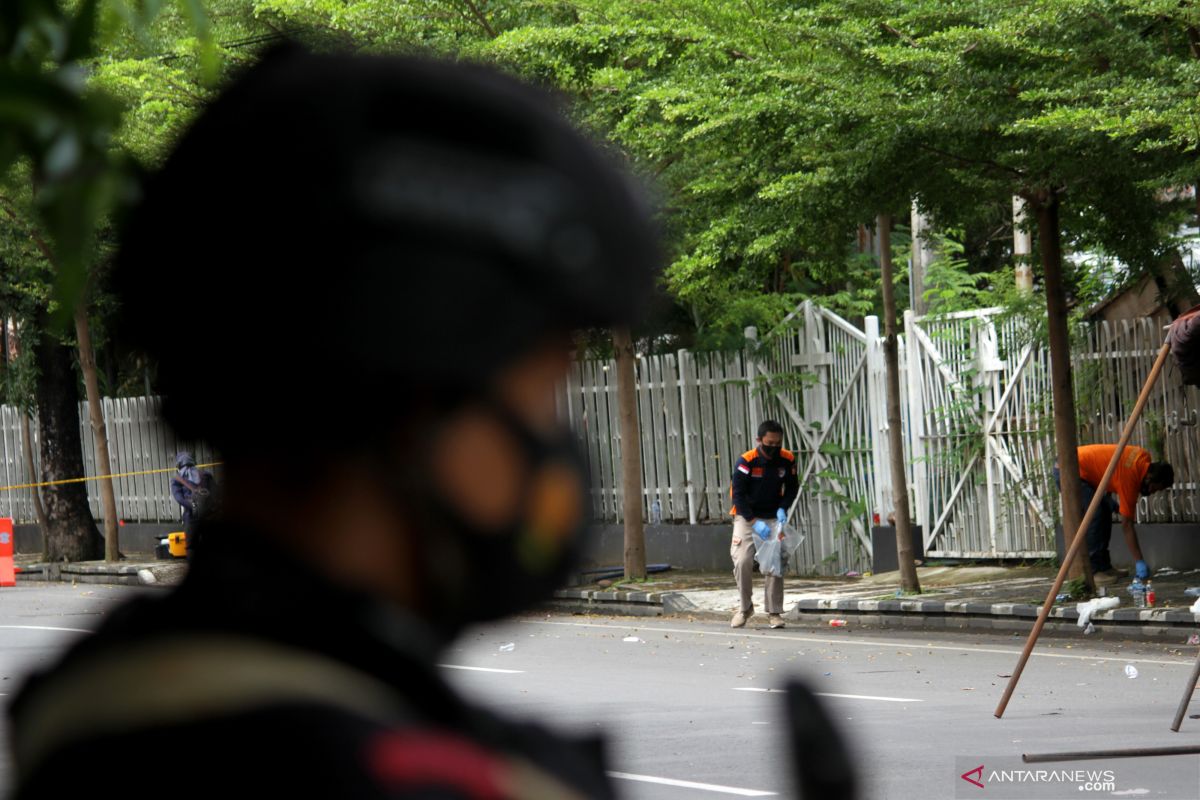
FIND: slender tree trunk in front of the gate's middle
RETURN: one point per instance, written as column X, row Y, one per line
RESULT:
column 909, row 581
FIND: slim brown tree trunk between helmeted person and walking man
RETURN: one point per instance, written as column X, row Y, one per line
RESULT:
column 631, row 455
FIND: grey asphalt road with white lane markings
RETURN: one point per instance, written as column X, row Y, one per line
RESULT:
column 689, row 713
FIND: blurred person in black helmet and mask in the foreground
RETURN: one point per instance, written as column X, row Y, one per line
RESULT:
column 395, row 254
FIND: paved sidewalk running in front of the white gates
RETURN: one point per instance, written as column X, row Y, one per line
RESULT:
column 955, row 598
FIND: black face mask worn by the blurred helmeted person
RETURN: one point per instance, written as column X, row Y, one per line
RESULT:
column 473, row 574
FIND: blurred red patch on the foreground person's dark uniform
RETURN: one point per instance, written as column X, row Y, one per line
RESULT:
column 425, row 760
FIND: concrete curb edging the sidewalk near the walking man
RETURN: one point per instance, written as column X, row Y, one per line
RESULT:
column 1156, row 624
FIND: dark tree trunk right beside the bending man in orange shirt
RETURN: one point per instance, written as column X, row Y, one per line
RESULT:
column 1065, row 431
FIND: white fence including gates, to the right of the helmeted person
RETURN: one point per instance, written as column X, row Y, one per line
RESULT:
column 979, row 429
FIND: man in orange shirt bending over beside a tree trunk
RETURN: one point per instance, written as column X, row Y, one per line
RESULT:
column 1136, row 477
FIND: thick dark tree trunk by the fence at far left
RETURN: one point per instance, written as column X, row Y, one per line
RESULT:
column 71, row 534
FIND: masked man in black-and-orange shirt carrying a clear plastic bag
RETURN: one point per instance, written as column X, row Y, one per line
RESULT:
column 764, row 488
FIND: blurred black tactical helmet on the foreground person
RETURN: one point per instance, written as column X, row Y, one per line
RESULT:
column 337, row 233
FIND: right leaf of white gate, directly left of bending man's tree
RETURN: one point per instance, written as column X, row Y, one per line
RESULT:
column 979, row 405
